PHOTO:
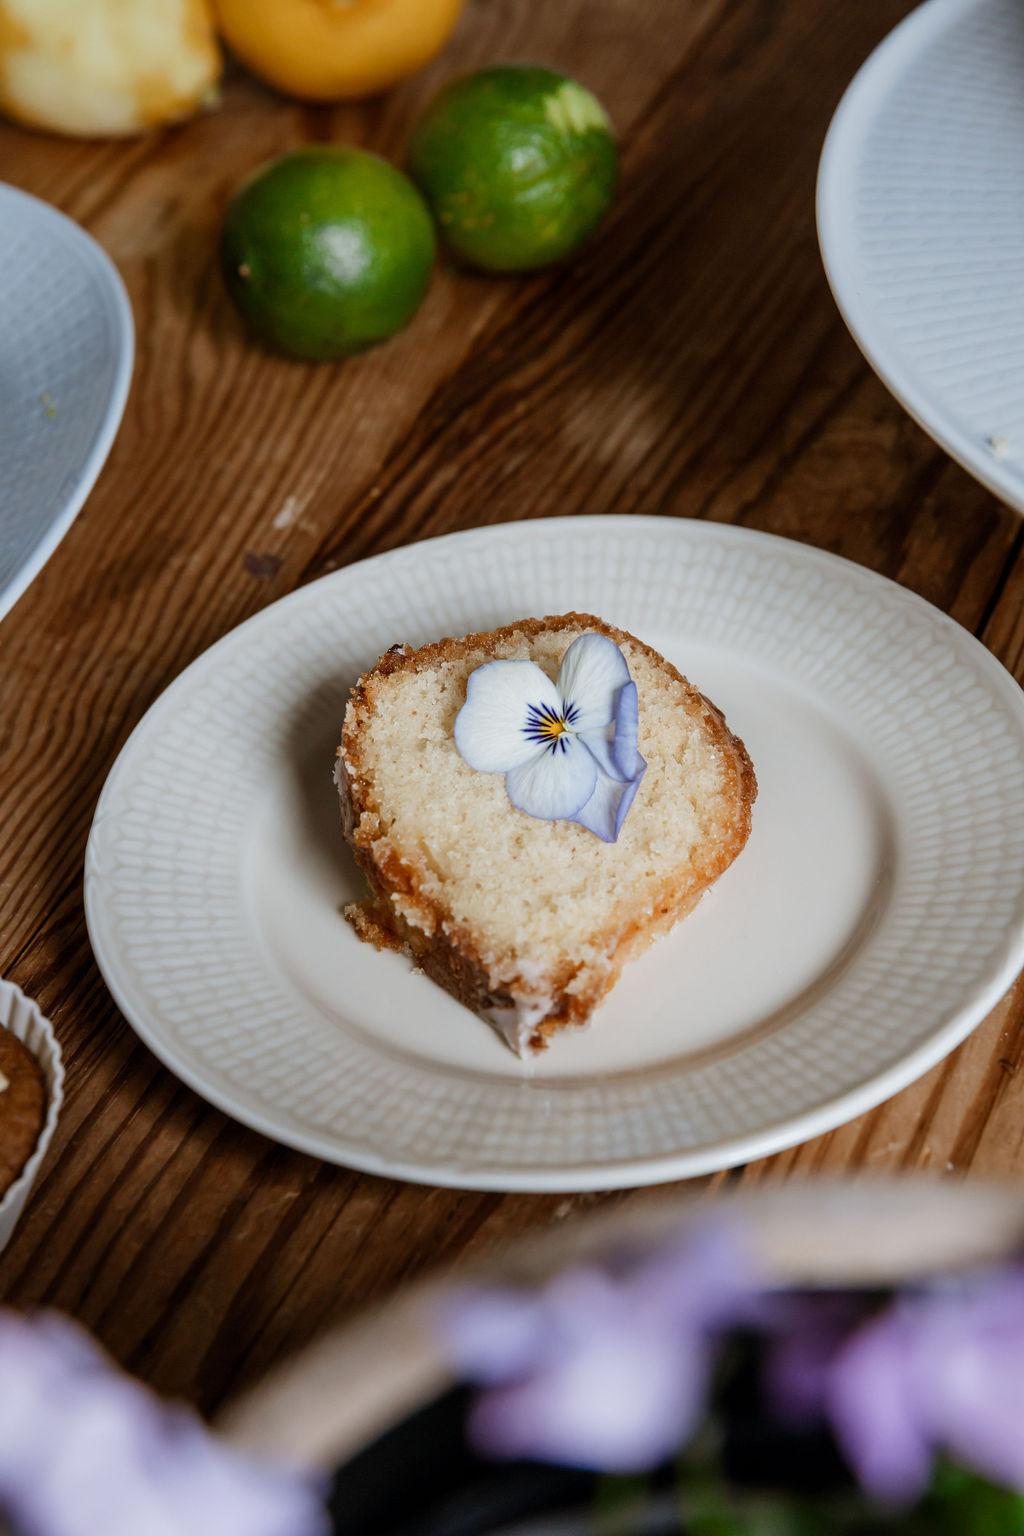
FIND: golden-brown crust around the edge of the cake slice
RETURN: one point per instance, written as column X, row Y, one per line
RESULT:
column 451, row 958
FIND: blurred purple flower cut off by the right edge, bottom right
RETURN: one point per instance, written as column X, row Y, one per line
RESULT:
column 942, row 1371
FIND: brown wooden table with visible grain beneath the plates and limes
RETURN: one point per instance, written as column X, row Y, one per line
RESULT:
column 690, row 363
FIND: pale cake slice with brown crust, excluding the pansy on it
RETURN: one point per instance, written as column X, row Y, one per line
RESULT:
column 529, row 922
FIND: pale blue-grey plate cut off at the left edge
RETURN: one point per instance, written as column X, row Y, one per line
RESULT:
column 65, row 366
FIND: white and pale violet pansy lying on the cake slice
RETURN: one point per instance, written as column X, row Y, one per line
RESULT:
column 569, row 749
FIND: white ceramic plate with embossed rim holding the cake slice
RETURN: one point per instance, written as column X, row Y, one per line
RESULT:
column 876, row 916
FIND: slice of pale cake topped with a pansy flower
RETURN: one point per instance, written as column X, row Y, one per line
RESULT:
column 530, row 827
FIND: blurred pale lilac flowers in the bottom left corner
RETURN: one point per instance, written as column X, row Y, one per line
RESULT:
column 85, row 1451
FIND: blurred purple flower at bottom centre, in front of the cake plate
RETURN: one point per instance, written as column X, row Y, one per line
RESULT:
column 601, row 1369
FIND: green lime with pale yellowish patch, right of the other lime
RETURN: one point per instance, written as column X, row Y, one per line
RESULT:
column 518, row 165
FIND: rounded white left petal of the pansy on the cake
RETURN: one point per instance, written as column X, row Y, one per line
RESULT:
column 492, row 727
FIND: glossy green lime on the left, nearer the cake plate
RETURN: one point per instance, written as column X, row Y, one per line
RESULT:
column 328, row 251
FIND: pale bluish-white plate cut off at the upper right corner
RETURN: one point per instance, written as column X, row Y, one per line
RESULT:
column 922, row 227
